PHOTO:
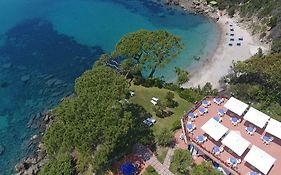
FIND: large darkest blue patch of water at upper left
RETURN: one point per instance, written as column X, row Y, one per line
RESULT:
column 34, row 44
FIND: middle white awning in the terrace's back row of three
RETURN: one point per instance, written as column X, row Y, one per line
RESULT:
column 256, row 117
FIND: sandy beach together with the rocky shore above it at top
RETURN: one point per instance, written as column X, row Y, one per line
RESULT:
column 218, row 63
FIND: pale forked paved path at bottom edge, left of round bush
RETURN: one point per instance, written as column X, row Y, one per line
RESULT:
column 145, row 154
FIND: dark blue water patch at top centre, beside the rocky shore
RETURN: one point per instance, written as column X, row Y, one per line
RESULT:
column 161, row 15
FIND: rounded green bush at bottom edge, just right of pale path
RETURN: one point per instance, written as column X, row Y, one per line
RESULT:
column 181, row 162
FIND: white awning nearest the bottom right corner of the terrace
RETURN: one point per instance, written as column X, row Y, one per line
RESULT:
column 260, row 159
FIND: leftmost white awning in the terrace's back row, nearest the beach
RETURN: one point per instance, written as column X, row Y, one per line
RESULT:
column 236, row 106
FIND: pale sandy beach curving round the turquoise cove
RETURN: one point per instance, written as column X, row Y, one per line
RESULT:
column 218, row 65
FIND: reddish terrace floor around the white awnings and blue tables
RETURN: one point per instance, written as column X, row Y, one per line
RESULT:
column 273, row 148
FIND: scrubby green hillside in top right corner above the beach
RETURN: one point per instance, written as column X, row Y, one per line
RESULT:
column 265, row 14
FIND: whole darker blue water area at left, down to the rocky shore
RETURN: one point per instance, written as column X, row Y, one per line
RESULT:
column 38, row 67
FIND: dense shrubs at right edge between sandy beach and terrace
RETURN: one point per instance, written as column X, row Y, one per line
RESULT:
column 258, row 81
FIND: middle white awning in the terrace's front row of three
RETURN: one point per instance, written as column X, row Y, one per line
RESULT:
column 236, row 142
